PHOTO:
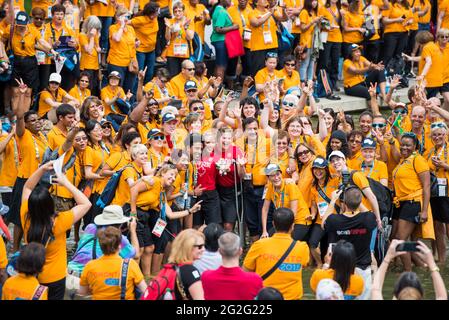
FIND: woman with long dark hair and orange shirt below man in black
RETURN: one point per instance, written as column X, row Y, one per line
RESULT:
column 341, row 269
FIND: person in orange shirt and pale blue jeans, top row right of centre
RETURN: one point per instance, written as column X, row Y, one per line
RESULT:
column 309, row 21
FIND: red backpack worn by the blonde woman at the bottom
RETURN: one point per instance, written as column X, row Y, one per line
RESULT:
column 162, row 287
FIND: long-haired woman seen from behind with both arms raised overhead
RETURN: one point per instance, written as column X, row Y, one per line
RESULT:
column 43, row 225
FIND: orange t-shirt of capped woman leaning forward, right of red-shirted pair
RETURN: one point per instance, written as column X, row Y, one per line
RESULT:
column 289, row 192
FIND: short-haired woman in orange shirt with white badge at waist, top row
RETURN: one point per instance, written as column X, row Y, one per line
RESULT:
column 178, row 32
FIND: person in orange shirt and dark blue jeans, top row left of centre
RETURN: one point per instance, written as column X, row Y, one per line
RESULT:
column 146, row 28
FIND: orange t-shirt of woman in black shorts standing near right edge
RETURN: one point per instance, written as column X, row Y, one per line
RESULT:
column 405, row 176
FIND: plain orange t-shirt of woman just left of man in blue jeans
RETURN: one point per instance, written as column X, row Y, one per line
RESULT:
column 121, row 53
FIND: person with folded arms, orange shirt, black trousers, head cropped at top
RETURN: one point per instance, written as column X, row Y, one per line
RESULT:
column 396, row 21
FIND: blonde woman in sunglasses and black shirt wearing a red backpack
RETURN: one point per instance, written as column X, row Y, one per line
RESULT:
column 187, row 247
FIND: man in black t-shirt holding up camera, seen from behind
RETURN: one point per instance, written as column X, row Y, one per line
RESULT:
column 353, row 226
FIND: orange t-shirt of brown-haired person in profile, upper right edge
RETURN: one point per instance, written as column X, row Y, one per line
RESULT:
column 434, row 76
